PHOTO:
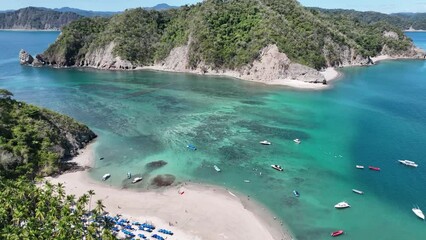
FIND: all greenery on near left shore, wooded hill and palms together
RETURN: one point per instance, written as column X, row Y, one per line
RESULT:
column 33, row 144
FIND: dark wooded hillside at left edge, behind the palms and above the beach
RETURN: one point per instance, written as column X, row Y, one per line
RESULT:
column 35, row 141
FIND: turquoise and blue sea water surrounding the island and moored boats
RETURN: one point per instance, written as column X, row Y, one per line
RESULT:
column 372, row 116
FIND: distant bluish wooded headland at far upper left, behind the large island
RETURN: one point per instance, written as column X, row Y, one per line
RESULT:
column 36, row 18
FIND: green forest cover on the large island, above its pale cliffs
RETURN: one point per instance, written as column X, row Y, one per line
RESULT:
column 226, row 34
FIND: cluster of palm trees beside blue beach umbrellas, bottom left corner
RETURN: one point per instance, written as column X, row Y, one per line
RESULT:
column 46, row 212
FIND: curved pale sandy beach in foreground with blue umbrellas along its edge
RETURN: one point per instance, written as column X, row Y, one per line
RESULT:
column 201, row 212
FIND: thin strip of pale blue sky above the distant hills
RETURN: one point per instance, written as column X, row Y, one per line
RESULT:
column 387, row 6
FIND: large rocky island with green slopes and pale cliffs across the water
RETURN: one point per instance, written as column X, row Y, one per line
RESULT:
column 266, row 41
